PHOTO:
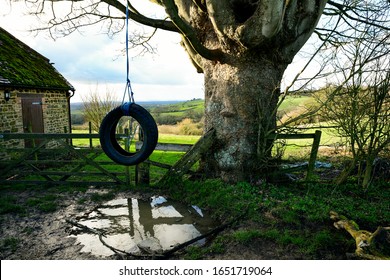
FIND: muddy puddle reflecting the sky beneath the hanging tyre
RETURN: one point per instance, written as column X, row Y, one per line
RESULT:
column 130, row 224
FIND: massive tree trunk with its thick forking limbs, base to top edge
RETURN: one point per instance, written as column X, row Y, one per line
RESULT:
column 243, row 48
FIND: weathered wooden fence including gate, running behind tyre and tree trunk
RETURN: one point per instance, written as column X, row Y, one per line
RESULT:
column 54, row 160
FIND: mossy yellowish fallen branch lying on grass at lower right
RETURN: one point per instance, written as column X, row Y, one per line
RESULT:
column 371, row 246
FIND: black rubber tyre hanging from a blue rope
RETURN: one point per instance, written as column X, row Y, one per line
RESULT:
column 108, row 129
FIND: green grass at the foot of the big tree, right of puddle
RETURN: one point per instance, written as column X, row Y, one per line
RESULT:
column 290, row 216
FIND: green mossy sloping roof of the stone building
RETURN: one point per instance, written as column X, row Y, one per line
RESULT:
column 21, row 66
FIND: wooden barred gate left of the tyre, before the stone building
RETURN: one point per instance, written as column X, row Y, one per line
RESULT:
column 61, row 164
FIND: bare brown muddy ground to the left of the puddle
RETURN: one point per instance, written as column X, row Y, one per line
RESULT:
column 41, row 235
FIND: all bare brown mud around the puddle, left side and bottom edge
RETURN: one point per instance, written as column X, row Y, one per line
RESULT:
column 37, row 234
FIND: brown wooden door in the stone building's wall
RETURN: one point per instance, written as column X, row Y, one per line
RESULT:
column 32, row 117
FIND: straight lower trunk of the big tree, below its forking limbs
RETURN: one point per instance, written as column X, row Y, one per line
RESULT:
column 241, row 102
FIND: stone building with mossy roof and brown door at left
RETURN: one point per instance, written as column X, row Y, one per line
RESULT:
column 34, row 96
